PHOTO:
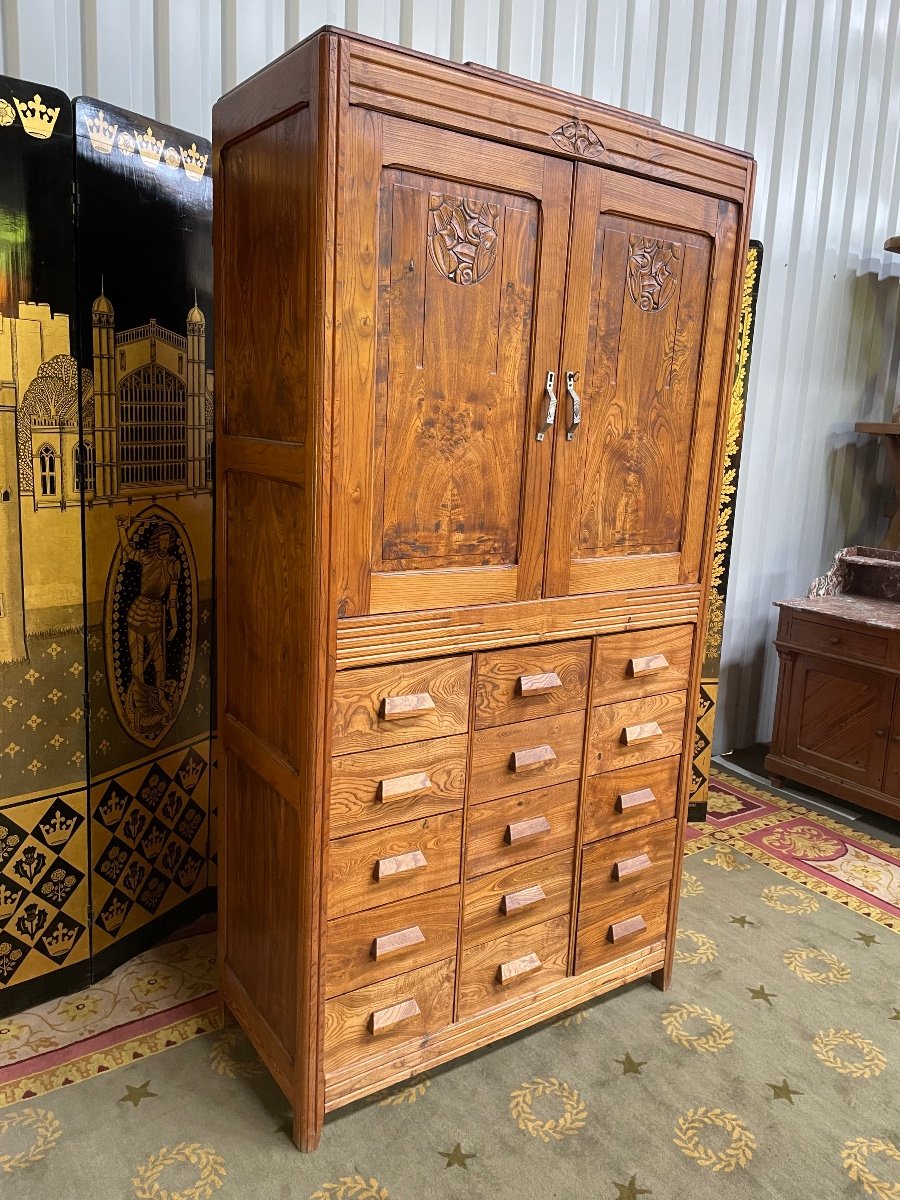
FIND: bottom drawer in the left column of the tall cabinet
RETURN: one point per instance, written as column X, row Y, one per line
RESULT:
column 387, row 1015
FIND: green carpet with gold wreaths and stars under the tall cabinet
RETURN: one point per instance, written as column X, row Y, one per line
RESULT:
column 771, row 1069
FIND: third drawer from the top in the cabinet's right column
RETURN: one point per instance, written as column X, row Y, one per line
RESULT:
column 631, row 799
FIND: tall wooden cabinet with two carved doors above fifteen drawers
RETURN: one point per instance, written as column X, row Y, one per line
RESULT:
column 475, row 351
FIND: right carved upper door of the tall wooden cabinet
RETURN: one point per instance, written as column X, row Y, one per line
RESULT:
column 651, row 271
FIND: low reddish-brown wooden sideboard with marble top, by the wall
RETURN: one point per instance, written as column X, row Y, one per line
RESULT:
column 838, row 710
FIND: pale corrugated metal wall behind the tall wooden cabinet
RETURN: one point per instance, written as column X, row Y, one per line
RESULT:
column 812, row 88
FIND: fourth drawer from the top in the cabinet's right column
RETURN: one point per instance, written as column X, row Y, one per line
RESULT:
column 622, row 867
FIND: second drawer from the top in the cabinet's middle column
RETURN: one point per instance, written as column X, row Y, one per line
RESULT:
column 525, row 757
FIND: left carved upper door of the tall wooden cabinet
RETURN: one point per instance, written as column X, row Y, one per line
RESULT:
column 451, row 278
